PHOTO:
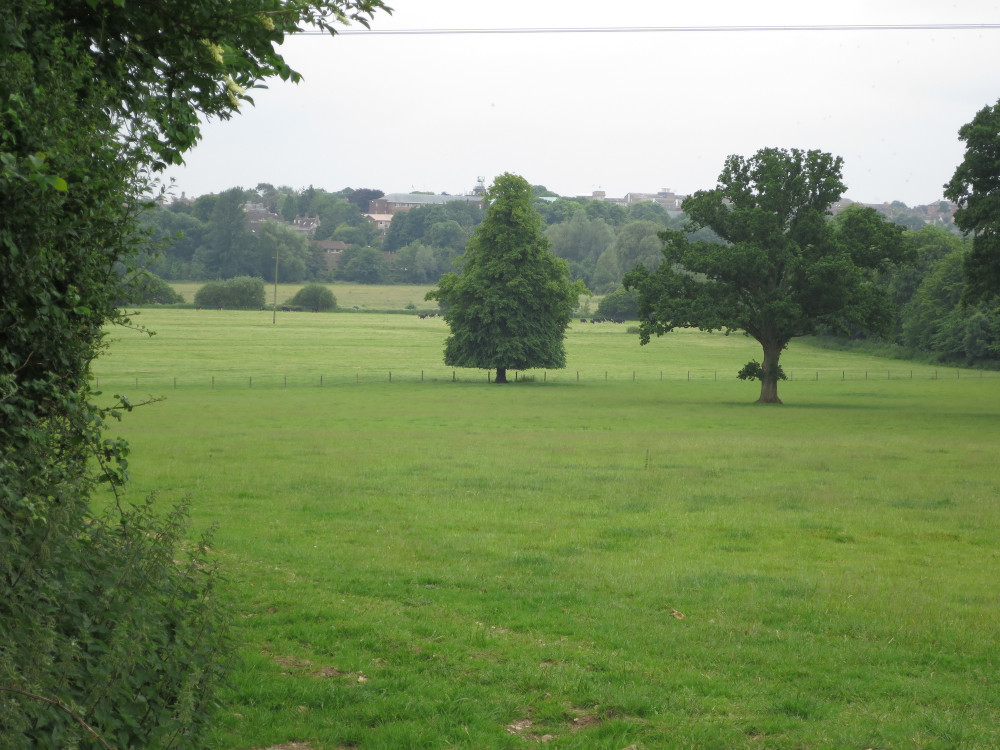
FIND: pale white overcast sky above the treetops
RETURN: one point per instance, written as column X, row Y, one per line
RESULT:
column 619, row 112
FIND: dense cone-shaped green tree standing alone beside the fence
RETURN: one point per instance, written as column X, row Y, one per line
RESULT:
column 509, row 307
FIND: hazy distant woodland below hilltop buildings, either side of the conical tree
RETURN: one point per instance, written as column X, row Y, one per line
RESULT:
column 210, row 239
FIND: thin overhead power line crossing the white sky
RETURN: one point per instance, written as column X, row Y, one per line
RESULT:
column 672, row 29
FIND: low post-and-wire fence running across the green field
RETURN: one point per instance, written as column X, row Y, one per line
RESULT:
column 281, row 380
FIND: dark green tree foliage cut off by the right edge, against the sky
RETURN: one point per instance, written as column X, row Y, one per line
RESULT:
column 975, row 187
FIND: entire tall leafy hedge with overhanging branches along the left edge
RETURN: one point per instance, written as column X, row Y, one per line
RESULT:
column 99, row 626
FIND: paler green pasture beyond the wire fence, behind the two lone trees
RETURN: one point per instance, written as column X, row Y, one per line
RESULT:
column 195, row 346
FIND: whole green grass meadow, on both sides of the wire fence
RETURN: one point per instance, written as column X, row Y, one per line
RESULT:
column 615, row 561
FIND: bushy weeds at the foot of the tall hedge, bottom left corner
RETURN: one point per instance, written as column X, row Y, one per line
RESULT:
column 135, row 634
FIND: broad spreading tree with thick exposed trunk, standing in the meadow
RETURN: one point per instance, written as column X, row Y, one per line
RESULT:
column 782, row 270
